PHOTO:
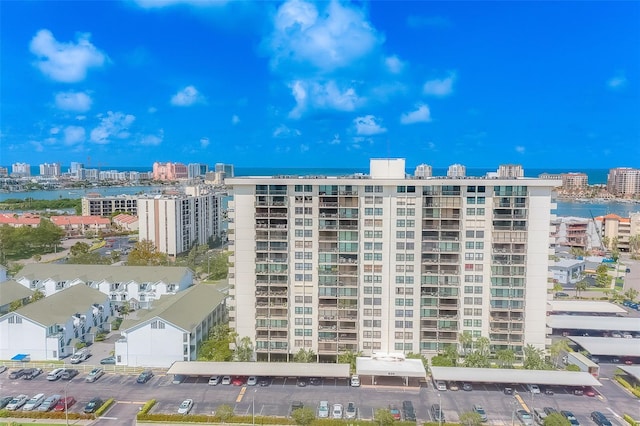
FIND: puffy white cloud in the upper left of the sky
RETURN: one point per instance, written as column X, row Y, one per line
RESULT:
column 65, row 62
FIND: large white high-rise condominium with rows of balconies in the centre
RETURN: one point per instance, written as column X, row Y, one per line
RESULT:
column 386, row 262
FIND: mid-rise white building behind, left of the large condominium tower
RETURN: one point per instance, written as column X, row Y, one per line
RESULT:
column 174, row 223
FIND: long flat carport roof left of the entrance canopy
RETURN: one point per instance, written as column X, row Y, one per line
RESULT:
column 273, row 369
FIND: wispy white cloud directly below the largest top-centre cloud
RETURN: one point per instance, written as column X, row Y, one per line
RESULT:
column 312, row 94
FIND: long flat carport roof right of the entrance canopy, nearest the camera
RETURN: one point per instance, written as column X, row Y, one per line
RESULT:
column 500, row 375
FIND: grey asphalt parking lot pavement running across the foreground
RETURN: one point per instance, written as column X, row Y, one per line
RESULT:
column 275, row 400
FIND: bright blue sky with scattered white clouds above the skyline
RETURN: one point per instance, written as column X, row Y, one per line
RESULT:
column 329, row 84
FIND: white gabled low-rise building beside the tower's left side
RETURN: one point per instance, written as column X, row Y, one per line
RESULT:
column 172, row 330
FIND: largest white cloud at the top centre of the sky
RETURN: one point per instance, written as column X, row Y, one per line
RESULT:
column 334, row 38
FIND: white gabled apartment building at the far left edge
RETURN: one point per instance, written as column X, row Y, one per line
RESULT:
column 49, row 328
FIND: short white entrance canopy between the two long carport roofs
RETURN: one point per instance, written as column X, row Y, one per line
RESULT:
column 390, row 365
